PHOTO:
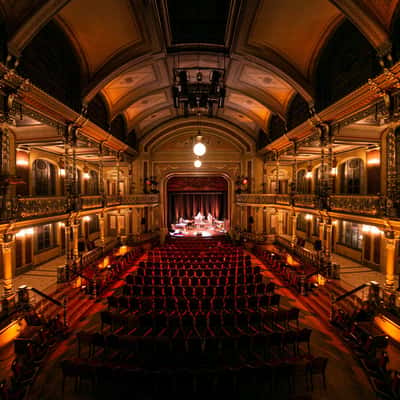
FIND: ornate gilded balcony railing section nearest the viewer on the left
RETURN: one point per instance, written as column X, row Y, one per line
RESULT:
column 39, row 206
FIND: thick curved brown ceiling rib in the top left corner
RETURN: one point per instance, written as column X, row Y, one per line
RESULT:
column 28, row 30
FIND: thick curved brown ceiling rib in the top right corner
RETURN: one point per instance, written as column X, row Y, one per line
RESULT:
column 367, row 23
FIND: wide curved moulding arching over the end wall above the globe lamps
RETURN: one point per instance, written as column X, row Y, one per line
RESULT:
column 217, row 125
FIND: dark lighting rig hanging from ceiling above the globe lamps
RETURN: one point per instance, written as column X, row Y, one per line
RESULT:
column 198, row 90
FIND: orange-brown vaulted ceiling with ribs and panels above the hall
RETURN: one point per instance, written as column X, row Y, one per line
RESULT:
column 127, row 51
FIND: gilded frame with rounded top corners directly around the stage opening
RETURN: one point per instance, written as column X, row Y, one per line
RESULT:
column 164, row 192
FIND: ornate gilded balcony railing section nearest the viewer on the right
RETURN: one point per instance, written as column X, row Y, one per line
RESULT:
column 357, row 204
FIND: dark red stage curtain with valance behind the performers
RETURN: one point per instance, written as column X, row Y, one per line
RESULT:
column 189, row 195
